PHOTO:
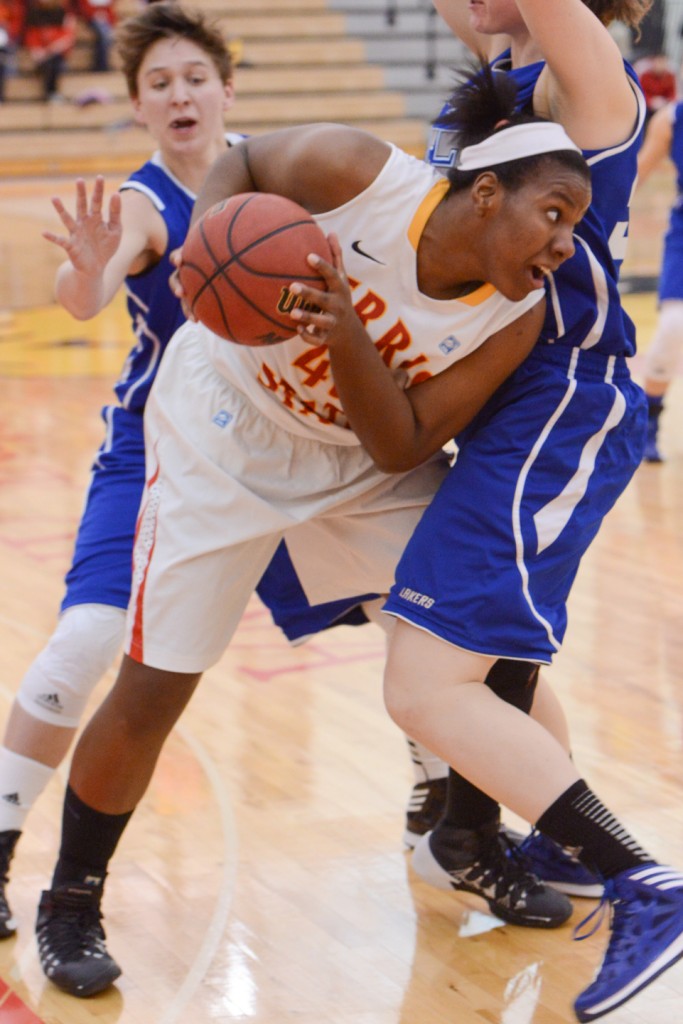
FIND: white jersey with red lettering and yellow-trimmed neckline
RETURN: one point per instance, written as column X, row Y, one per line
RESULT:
column 417, row 336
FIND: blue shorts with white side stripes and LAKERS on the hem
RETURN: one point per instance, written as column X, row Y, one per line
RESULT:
column 491, row 564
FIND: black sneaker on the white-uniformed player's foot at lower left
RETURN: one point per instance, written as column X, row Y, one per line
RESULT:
column 71, row 942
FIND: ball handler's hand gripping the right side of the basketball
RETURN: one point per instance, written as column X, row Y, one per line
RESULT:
column 326, row 318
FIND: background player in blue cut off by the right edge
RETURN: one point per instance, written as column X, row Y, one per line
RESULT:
column 665, row 140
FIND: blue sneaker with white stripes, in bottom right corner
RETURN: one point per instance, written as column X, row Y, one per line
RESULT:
column 647, row 937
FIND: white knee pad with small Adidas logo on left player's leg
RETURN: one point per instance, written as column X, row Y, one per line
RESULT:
column 58, row 686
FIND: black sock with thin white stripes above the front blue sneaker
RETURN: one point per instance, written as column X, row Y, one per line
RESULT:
column 579, row 821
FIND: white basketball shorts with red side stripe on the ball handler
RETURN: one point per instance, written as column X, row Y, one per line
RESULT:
column 224, row 486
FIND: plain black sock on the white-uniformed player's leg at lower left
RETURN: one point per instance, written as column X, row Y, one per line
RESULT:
column 89, row 841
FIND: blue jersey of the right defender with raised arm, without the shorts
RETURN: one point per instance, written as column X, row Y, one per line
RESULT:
column 584, row 308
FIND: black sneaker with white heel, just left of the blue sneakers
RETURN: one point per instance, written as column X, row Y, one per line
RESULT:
column 486, row 864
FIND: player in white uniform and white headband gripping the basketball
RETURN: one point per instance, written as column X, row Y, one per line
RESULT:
column 284, row 460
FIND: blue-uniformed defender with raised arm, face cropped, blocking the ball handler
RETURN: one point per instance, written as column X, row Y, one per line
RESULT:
column 546, row 459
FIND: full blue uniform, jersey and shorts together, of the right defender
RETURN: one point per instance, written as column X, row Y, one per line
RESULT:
column 492, row 563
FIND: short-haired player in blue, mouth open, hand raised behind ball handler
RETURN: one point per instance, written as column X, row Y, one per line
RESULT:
column 182, row 99
